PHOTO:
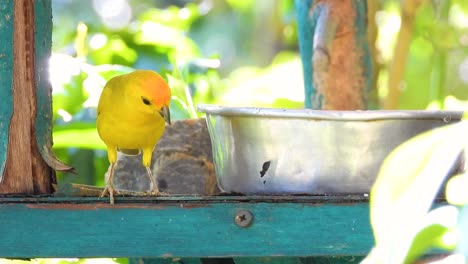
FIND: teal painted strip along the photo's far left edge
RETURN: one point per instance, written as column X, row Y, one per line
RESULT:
column 6, row 78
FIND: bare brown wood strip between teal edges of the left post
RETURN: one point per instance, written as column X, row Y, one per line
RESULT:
column 18, row 169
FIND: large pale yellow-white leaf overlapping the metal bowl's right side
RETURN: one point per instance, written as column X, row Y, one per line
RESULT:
column 406, row 186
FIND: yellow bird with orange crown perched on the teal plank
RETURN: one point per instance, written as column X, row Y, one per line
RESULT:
column 131, row 117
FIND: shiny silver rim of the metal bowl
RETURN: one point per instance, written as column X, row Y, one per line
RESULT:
column 359, row 115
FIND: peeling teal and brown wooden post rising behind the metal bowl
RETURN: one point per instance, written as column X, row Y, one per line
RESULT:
column 335, row 55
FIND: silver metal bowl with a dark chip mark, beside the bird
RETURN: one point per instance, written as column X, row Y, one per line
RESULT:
column 279, row 151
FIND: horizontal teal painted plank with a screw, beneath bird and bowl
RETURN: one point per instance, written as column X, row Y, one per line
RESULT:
column 54, row 227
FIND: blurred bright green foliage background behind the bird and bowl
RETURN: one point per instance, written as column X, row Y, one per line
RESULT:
column 234, row 52
